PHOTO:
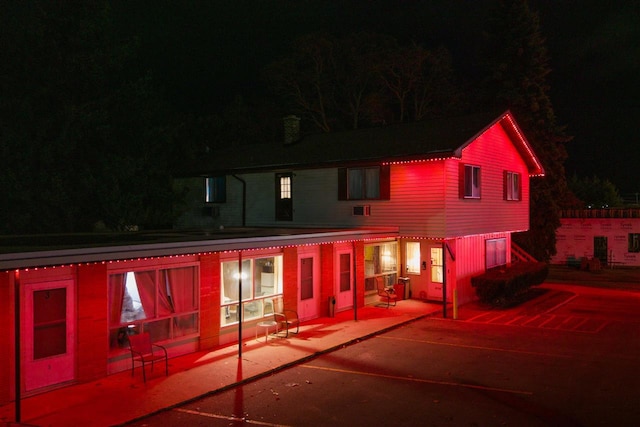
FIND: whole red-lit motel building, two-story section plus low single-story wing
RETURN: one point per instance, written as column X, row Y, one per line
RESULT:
column 318, row 217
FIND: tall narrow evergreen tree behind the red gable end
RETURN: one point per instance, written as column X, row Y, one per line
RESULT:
column 517, row 66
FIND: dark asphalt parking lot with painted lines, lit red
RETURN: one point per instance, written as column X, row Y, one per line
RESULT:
column 568, row 357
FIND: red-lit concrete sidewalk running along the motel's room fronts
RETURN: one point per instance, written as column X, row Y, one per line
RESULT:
column 119, row 398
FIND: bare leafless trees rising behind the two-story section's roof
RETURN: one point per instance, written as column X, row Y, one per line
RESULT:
column 363, row 79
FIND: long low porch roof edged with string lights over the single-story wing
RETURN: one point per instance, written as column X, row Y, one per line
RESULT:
column 17, row 252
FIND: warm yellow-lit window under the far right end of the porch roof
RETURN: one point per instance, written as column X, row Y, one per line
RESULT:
column 380, row 265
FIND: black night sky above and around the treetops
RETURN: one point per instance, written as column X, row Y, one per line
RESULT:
column 206, row 52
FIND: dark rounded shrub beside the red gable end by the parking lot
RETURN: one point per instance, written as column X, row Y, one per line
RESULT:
column 503, row 286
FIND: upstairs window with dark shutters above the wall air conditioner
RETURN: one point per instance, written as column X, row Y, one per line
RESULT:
column 364, row 183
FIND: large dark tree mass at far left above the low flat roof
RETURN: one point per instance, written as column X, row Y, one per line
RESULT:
column 85, row 136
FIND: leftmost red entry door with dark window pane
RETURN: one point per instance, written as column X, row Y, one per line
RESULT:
column 48, row 334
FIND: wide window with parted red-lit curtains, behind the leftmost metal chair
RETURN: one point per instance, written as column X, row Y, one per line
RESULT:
column 163, row 302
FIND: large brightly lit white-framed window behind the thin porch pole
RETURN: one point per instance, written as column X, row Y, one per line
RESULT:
column 261, row 284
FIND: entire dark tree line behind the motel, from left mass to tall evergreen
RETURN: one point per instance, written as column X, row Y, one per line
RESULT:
column 90, row 139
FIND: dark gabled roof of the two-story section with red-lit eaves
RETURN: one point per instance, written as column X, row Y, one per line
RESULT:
column 436, row 138
